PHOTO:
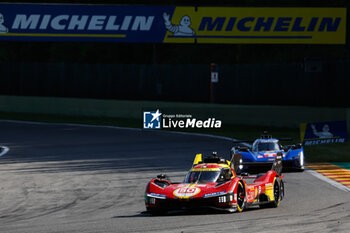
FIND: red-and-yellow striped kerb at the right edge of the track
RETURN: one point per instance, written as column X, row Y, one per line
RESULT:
column 332, row 171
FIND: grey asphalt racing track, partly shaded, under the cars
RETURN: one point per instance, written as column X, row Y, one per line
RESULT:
column 62, row 178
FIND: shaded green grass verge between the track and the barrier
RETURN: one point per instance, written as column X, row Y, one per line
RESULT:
column 339, row 152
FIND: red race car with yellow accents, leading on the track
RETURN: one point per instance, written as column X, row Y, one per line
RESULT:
column 213, row 183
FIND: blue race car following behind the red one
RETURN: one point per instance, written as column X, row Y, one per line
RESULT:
column 263, row 151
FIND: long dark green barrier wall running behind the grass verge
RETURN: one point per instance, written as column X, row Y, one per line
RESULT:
column 278, row 116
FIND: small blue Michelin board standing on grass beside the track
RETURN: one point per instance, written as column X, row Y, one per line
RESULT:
column 323, row 132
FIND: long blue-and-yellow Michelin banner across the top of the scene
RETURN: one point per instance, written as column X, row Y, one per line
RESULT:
column 167, row 24
